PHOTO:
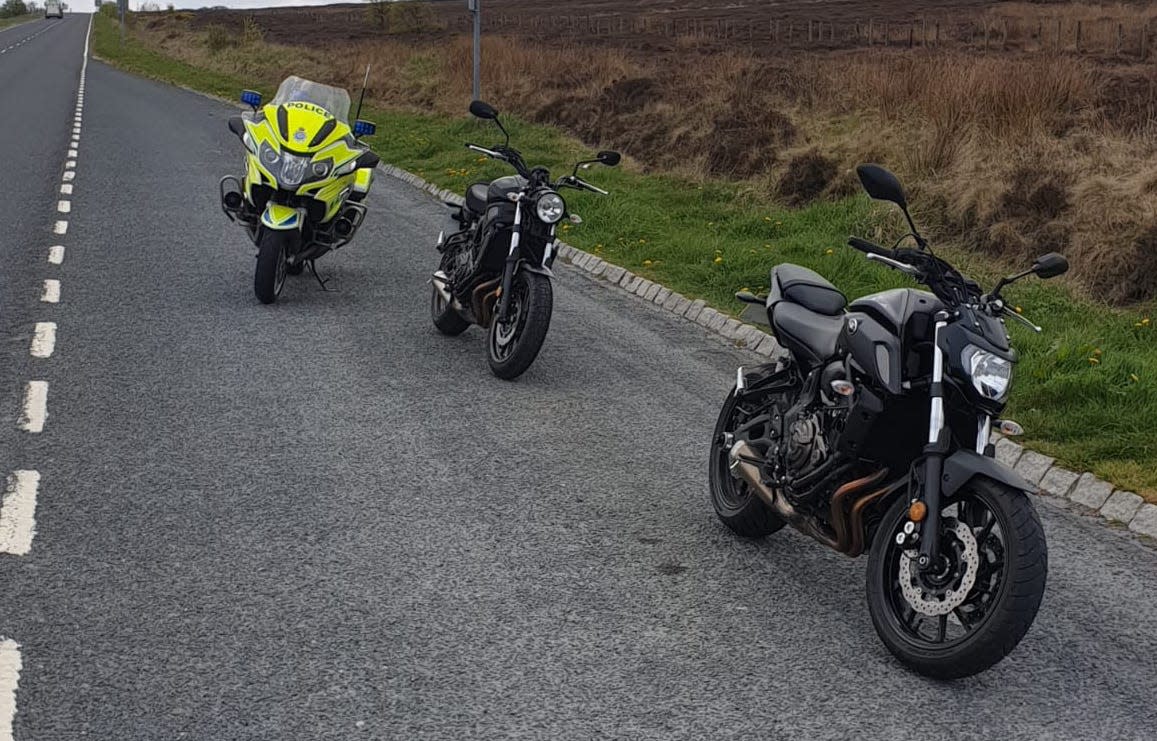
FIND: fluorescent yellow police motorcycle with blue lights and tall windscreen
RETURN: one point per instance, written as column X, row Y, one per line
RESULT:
column 307, row 175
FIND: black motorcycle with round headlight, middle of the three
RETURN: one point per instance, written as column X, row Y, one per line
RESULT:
column 496, row 268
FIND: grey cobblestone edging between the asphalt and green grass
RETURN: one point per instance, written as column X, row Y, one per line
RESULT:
column 1123, row 509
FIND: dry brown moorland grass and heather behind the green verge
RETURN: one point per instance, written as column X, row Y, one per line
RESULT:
column 1012, row 153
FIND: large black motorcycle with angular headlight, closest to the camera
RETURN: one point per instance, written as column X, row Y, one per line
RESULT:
column 873, row 434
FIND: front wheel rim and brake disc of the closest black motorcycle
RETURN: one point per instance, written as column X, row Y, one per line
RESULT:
column 944, row 608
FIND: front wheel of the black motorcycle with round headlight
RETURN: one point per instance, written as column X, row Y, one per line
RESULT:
column 514, row 344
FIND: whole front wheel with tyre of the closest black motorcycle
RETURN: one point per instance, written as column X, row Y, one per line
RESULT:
column 972, row 612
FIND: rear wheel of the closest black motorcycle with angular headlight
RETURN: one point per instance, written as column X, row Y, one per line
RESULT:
column 736, row 505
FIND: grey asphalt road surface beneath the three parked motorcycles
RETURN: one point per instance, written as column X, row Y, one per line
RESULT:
column 323, row 520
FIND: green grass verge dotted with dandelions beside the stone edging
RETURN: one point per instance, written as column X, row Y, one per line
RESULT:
column 1086, row 390
